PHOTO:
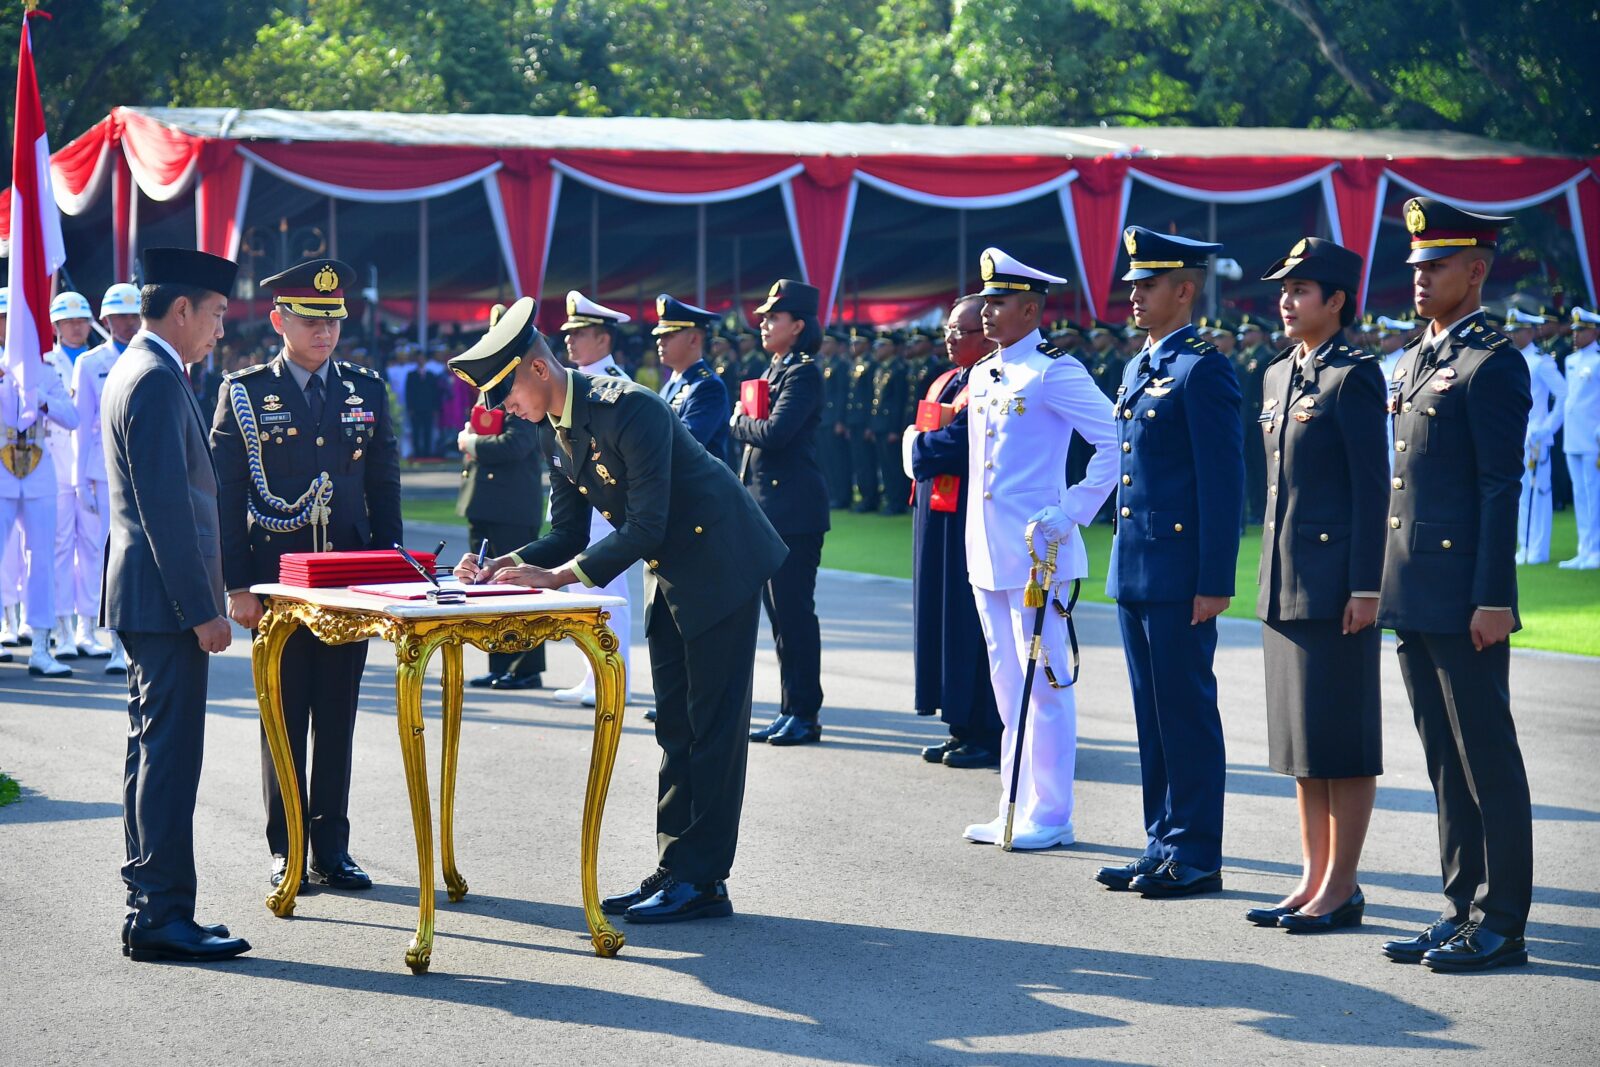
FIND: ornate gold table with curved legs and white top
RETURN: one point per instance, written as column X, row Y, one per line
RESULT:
column 418, row 629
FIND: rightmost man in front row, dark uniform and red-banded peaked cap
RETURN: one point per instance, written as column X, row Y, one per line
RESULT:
column 1460, row 402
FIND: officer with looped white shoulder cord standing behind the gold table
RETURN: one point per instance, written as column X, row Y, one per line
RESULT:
column 313, row 431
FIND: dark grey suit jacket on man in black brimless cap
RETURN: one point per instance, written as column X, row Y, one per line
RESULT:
column 164, row 561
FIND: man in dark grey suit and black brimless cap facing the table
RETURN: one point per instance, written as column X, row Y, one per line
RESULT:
column 162, row 594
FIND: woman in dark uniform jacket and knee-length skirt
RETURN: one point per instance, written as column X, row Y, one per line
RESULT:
column 1322, row 554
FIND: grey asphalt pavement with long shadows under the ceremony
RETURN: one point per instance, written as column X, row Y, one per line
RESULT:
column 868, row 932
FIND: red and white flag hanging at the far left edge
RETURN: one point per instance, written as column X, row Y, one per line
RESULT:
column 38, row 250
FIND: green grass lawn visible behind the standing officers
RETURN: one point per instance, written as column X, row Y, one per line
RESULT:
column 1561, row 610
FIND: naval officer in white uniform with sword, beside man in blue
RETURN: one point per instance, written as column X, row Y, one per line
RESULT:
column 1025, row 404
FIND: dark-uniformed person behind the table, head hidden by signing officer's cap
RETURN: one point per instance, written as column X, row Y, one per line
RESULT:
column 503, row 502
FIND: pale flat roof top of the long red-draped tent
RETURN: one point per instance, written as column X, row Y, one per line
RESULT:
column 820, row 138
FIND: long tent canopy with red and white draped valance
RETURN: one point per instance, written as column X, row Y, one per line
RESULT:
column 1079, row 180
